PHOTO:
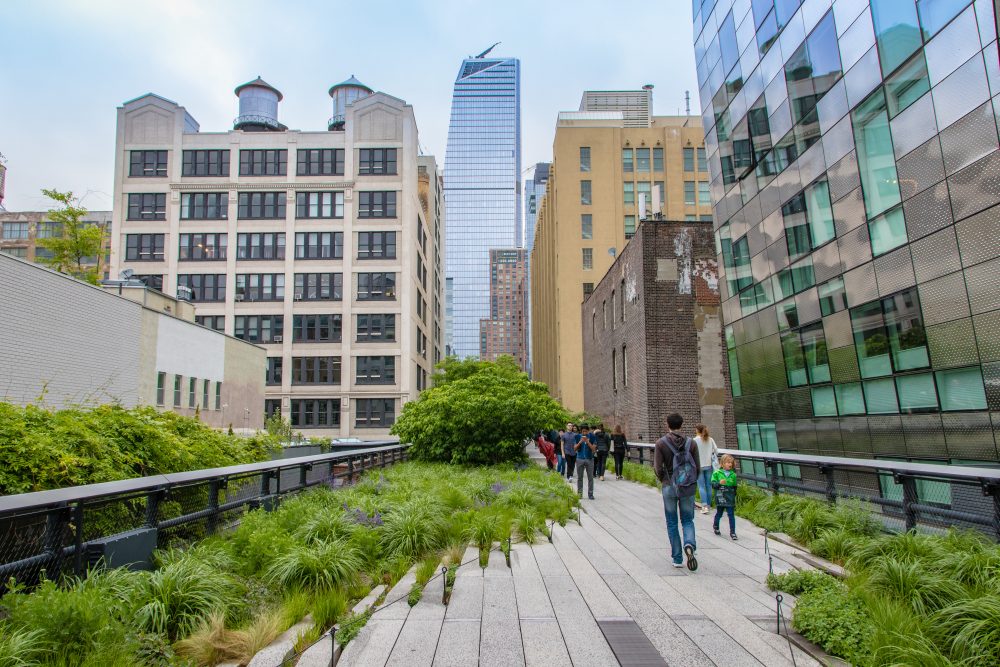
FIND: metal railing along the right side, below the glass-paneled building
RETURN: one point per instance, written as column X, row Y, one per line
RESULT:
column 908, row 495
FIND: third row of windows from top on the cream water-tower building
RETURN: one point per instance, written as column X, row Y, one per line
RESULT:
column 260, row 246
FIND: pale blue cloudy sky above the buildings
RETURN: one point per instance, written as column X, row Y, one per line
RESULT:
column 65, row 65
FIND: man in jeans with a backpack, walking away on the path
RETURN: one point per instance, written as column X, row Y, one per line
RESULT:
column 675, row 463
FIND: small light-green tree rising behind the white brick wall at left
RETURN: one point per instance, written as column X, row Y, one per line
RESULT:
column 77, row 242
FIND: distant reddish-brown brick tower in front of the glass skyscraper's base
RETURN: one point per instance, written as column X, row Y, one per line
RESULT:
column 505, row 331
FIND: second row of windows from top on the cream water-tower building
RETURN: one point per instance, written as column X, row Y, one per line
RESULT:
column 260, row 205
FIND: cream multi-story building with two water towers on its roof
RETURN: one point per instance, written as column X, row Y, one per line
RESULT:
column 322, row 246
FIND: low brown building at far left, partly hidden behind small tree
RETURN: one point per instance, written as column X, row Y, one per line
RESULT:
column 20, row 232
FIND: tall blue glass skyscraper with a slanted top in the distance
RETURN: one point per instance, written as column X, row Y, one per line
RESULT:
column 481, row 188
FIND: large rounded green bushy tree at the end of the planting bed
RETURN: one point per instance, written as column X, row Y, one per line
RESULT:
column 479, row 417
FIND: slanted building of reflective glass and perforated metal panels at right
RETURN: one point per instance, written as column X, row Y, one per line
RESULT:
column 853, row 149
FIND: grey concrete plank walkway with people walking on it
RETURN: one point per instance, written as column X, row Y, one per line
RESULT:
column 558, row 603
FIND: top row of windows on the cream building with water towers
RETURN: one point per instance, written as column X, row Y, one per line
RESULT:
column 264, row 162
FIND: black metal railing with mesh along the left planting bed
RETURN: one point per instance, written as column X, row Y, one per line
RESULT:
column 120, row 523
